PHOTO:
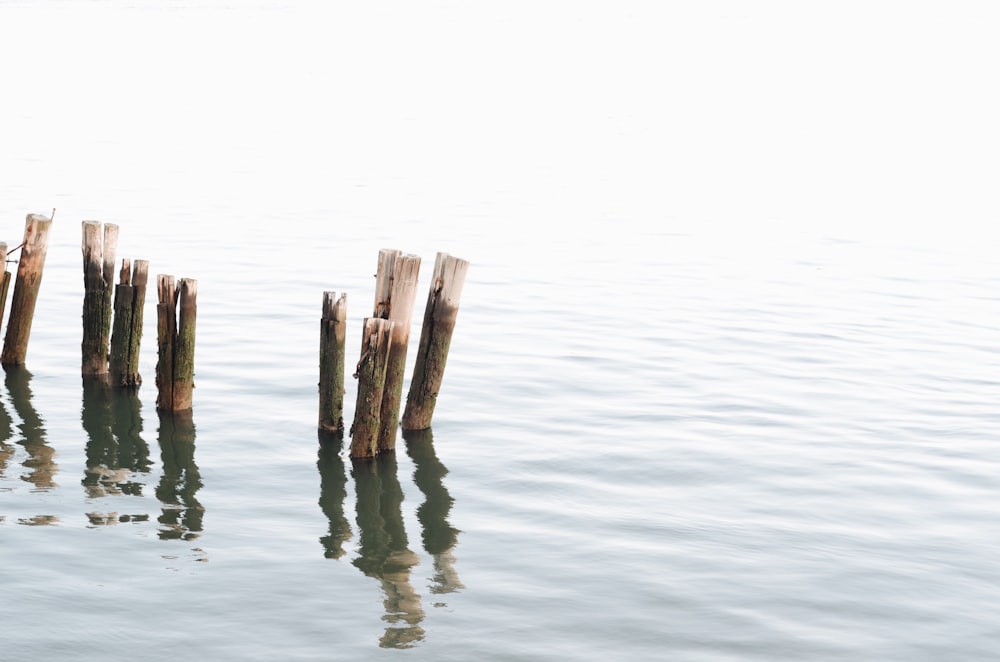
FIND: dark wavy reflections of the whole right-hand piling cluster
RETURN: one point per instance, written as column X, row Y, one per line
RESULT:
column 383, row 547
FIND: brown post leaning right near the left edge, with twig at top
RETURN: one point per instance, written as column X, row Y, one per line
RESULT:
column 29, row 280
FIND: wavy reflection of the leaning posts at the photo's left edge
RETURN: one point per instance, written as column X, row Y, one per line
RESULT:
column 39, row 464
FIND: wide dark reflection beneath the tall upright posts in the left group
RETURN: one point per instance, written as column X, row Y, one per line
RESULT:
column 116, row 451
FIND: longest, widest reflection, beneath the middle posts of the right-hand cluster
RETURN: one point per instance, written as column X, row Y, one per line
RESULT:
column 384, row 554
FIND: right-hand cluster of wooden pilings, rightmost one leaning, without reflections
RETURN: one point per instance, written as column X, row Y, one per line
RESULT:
column 385, row 336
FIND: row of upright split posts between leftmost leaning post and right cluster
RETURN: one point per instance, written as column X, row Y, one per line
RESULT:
column 111, row 352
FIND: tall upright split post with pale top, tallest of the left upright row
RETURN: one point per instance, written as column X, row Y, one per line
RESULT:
column 98, row 282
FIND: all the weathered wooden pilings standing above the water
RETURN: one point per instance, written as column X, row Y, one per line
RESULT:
column 111, row 351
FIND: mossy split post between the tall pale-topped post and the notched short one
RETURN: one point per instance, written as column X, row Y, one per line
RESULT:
column 130, row 296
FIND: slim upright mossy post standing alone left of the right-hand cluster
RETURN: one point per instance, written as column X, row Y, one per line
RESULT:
column 333, row 333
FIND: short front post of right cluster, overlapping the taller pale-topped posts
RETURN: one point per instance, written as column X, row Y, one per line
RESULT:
column 375, row 343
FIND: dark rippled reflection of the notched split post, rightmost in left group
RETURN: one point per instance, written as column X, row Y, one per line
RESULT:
column 182, row 514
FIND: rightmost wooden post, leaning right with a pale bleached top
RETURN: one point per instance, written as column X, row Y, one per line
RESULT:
column 435, row 339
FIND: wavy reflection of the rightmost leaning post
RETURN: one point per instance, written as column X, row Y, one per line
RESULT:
column 439, row 536
